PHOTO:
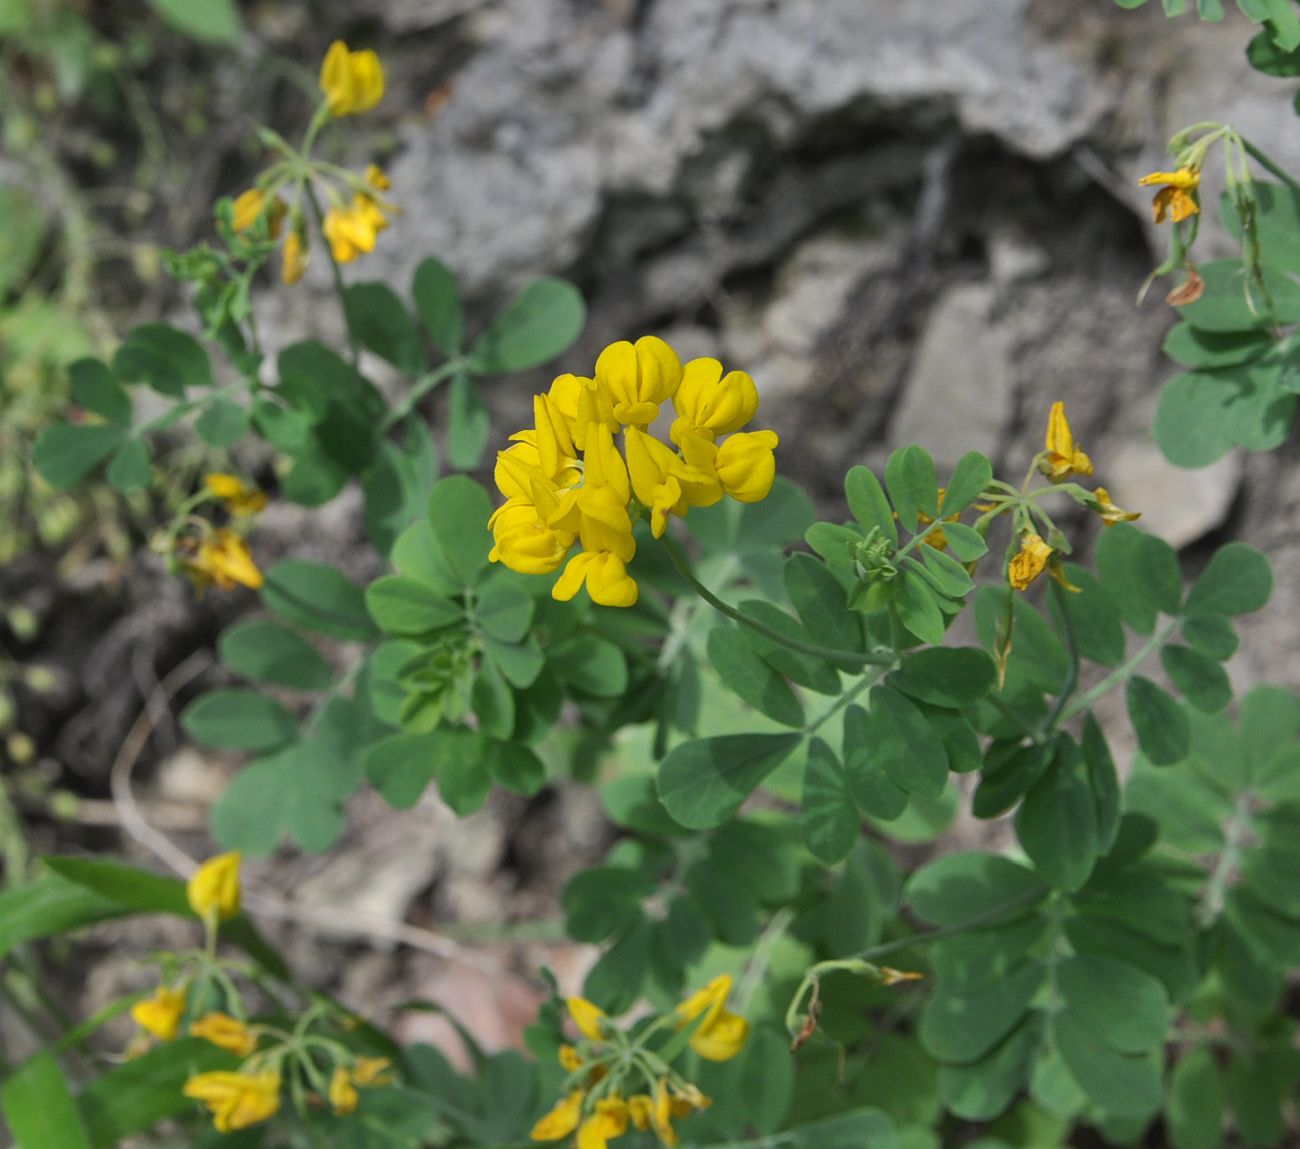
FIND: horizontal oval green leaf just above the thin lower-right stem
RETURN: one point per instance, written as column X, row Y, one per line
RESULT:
column 964, row 887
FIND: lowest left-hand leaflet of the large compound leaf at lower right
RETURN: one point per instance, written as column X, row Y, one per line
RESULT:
column 963, row 1026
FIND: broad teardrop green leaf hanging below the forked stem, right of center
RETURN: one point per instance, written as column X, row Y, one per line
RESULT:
column 1058, row 823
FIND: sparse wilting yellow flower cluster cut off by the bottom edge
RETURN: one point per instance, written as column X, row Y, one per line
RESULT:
column 599, row 1111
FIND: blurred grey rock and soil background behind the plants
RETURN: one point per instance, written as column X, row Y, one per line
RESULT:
column 911, row 222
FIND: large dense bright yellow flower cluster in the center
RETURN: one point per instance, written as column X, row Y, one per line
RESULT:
column 565, row 479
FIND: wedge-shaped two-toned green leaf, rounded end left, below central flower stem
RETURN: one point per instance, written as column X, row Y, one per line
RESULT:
column 705, row 782
